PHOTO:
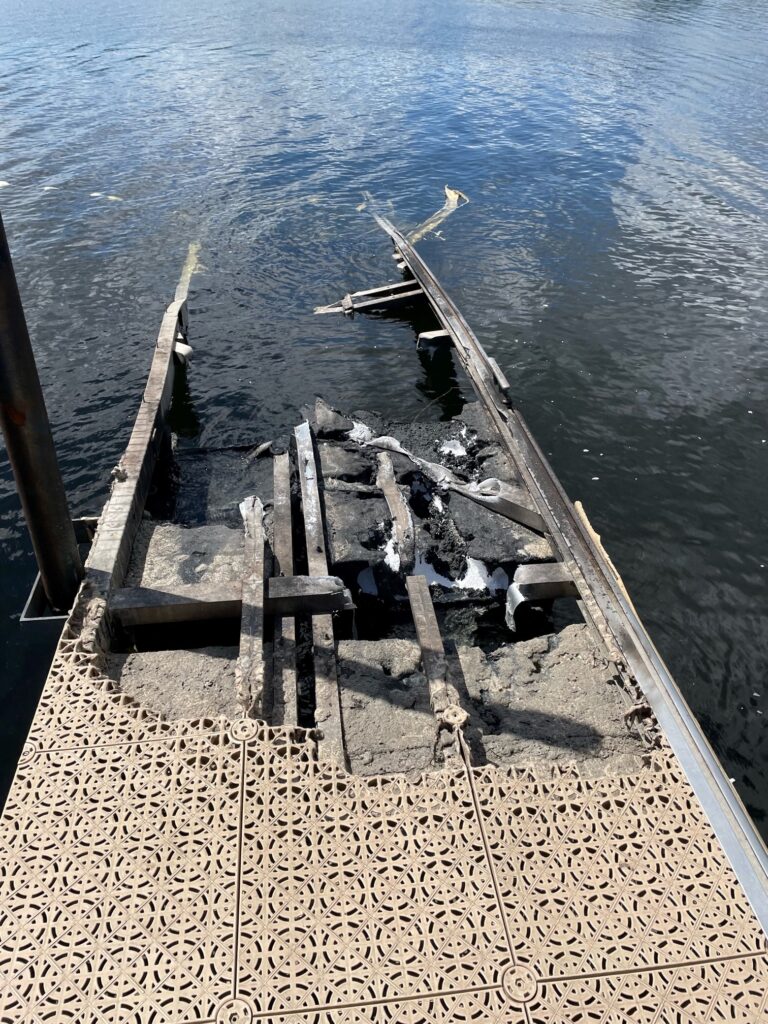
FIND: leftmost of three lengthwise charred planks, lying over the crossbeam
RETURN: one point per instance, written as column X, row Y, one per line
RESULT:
column 249, row 672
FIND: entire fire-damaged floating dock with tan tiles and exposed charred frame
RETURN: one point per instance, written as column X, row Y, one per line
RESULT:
column 361, row 726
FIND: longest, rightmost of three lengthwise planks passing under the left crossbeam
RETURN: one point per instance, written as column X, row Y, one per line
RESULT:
column 328, row 701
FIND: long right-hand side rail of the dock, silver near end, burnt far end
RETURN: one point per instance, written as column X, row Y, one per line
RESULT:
column 602, row 591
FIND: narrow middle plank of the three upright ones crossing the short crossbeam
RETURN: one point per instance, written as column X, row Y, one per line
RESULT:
column 285, row 696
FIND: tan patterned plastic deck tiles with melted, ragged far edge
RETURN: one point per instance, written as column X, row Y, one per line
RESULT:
column 217, row 872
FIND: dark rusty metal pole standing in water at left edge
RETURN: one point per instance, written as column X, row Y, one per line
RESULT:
column 30, row 445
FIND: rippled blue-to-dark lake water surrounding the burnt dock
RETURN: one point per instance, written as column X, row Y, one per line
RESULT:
column 614, row 260
